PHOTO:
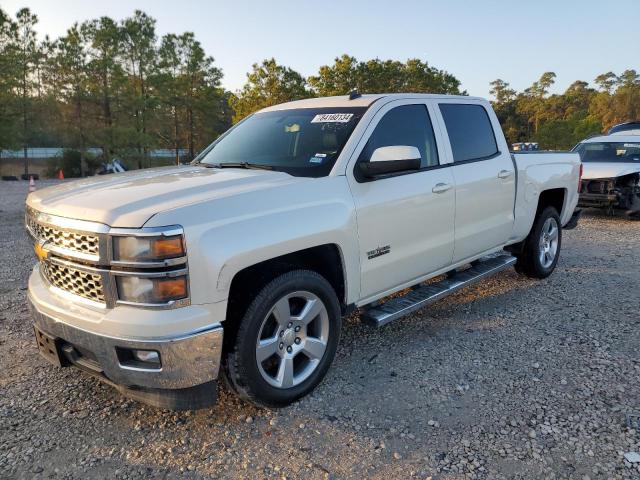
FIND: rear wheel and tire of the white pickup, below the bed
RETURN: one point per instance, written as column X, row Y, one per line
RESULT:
column 541, row 248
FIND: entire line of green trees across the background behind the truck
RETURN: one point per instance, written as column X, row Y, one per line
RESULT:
column 116, row 85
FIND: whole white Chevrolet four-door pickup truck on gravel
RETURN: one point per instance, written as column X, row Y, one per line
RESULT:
column 296, row 216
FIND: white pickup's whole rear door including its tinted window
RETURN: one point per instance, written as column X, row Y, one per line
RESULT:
column 484, row 175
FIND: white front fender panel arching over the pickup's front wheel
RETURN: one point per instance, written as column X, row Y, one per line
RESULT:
column 228, row 235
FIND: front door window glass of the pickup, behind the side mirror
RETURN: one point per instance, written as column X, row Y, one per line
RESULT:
column 407, row 125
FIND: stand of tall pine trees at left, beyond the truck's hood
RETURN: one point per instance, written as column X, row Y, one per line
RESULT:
column 107, row 84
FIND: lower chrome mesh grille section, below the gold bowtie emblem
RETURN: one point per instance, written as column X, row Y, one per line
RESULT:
column 84, row 284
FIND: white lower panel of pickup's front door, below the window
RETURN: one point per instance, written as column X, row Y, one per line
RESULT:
column 403, row 213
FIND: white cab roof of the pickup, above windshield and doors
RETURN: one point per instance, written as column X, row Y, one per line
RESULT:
column 364, row 100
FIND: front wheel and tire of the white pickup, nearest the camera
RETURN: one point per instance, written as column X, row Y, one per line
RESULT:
column 295, row 347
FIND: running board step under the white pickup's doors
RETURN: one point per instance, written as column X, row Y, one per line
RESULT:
column 423, row 294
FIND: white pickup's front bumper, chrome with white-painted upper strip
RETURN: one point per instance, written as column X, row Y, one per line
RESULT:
column 189, row 363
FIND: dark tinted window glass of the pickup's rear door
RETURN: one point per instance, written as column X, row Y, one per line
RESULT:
column 470, row 131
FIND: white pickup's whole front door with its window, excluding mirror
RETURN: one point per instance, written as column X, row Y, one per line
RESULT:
column 405, row 221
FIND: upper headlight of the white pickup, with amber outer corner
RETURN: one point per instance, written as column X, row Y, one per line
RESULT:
column 148, row 249
